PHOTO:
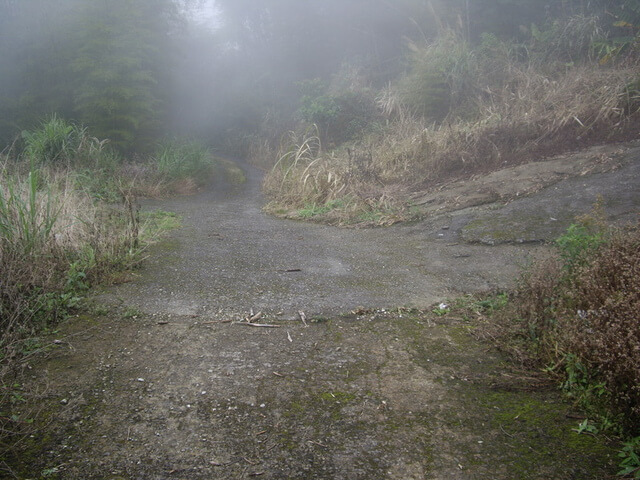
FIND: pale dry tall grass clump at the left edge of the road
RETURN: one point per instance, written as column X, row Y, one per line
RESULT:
column 54, row 239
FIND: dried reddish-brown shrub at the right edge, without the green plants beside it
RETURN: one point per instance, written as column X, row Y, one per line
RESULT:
column 604, row 328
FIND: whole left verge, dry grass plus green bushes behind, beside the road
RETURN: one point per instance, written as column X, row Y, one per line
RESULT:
column 69, row 220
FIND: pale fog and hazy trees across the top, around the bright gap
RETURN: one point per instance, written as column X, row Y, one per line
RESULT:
column 134, row 71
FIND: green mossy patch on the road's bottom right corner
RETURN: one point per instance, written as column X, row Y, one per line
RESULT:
column 539, row 436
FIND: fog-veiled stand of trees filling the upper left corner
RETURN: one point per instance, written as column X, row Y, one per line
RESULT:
column 104, row 63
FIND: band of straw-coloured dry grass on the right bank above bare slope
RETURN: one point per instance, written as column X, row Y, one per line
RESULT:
column 525, row 116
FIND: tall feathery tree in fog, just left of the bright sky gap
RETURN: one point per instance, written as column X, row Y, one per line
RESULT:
column 119, row 66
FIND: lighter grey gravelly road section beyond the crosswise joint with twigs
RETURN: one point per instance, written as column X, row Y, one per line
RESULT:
column 229, row 258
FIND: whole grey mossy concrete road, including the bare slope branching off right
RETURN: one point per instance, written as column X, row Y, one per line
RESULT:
column 172, row 383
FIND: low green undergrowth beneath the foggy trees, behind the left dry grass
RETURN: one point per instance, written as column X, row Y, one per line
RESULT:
column 176, row 166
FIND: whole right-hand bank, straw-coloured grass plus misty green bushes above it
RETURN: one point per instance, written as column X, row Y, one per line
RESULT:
column 461, row 109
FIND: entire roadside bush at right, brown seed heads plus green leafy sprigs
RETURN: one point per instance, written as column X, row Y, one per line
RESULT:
column 583, row 306
